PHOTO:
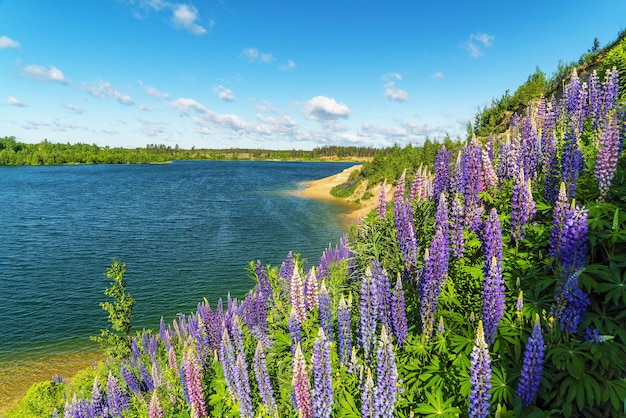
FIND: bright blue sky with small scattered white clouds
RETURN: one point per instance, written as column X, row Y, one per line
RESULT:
column 275, row 74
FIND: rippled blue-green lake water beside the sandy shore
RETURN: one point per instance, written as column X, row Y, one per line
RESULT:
column 186, row 231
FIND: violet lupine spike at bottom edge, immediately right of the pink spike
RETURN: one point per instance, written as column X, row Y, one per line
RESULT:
column 322, row 379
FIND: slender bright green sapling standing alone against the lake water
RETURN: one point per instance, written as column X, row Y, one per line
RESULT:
column 115, row 341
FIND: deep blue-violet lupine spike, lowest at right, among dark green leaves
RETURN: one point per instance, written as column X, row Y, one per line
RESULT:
column 532, row 366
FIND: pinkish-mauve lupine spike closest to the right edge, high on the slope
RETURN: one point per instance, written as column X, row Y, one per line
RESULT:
column 608, row 153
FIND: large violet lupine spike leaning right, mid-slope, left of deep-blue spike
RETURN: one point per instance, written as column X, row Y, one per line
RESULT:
column 434, row 272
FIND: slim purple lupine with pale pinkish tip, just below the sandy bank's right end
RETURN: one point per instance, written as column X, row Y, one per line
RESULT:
column 403, row 217
